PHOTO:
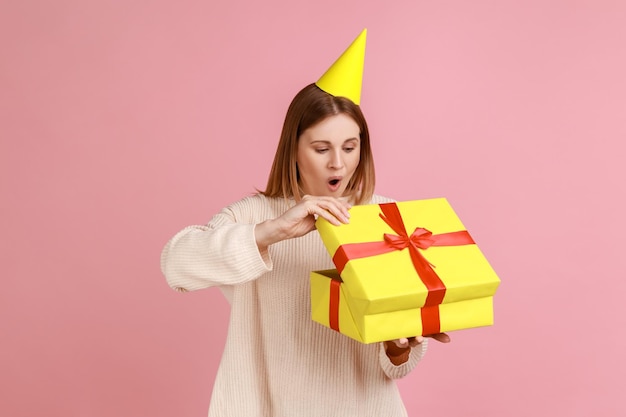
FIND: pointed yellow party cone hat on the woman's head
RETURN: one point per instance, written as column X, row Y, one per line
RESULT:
column 345, row 76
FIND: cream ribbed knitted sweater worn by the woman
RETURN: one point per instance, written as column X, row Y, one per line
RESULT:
column 277, row 362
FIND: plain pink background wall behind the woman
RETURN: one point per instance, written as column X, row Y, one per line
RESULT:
column 122, row 122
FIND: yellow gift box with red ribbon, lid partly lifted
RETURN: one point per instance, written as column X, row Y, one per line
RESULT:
column 403, row 269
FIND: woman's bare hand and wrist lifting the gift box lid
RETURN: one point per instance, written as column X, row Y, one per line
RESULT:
column 300, row 219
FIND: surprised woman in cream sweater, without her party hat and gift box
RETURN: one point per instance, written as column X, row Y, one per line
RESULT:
column 260, row 250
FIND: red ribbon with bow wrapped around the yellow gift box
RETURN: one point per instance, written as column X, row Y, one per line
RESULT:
column 420, row 239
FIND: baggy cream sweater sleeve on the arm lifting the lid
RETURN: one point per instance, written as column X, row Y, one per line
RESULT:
column 224, row 252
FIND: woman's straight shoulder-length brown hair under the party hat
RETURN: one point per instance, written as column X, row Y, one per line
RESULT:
column 309, row 107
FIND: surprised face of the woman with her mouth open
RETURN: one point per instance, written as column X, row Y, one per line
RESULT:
column 328, row 154
